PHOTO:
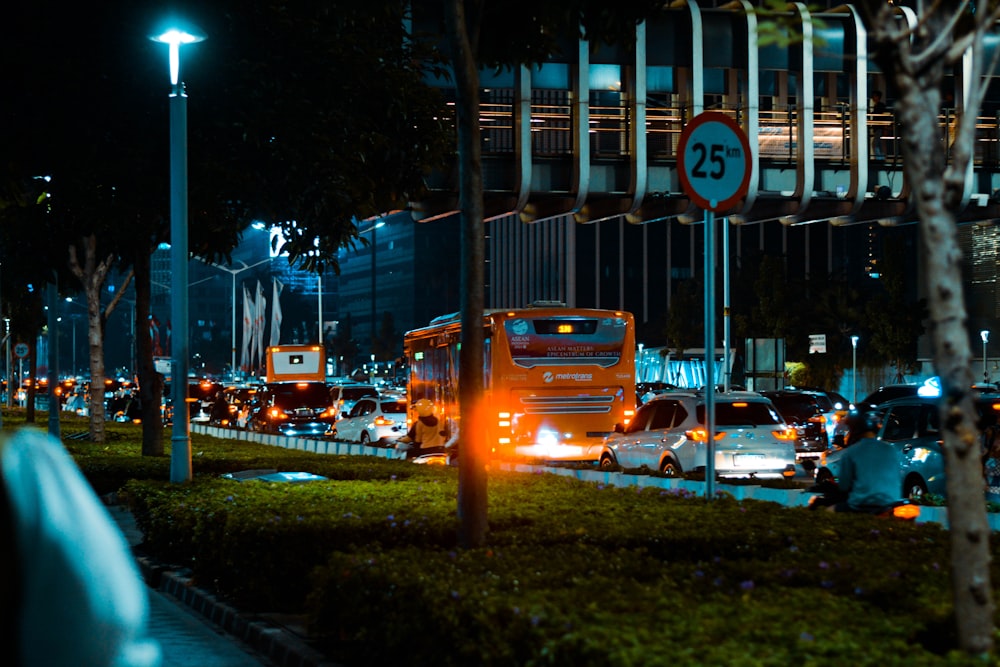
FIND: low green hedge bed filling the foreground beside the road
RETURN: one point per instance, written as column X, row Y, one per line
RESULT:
column 574, row 573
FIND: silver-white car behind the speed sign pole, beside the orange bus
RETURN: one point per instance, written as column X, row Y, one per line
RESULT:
column 668, row 434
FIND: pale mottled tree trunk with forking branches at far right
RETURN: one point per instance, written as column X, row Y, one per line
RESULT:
column 937, row 194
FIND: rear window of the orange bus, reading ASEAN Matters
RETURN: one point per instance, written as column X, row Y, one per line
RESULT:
column 565, row 340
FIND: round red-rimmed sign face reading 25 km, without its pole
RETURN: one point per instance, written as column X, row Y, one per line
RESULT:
column 713, row 161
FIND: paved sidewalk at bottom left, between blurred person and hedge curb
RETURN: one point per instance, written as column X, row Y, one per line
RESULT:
column 194, row 628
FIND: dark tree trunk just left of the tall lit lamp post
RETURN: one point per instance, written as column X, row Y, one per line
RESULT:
column 150, row 382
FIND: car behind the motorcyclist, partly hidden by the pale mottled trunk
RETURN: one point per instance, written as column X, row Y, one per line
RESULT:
column 913, row 425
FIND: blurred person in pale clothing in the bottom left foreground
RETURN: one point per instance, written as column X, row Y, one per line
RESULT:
column 72, row 593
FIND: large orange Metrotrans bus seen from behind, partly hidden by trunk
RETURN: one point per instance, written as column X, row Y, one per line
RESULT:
column 556, row 379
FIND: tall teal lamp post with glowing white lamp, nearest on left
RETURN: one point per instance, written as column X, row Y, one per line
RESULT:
column 180, row 458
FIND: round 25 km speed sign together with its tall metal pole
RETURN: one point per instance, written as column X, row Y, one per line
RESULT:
column 713, row 162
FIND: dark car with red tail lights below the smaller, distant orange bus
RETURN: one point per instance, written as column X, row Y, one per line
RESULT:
column 294, row 408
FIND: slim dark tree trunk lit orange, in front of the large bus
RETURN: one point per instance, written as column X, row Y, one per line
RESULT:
column 474, row 450
